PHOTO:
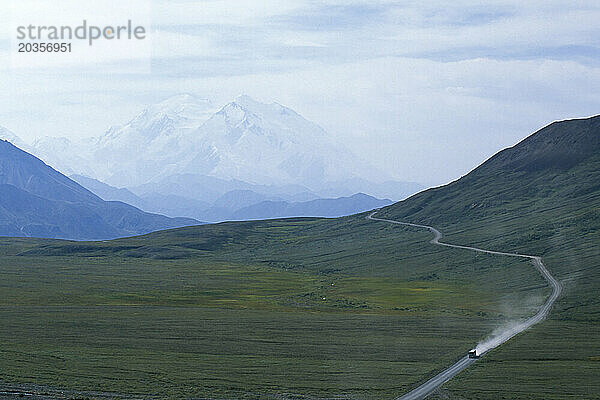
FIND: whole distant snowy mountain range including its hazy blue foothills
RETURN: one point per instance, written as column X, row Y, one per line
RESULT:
column 184, row 158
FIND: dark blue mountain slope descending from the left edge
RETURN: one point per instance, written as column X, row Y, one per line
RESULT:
column 36, row 200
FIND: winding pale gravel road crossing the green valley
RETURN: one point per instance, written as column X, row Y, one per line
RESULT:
column 432, row 384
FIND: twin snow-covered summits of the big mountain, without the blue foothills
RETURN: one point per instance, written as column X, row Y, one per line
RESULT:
column 244, row 140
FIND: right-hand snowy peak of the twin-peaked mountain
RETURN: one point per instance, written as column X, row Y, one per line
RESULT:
column 271, row 144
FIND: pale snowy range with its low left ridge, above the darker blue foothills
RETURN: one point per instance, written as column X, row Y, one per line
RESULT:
column 245, row 143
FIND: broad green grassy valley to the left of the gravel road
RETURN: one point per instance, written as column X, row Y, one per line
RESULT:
column 303, row 306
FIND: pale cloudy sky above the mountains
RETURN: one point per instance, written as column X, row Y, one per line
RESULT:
column 425, row 89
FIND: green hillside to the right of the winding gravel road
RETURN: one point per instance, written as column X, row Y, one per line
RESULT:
column 540, row 197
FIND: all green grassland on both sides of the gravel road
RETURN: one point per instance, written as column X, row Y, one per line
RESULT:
column 323, row 308
